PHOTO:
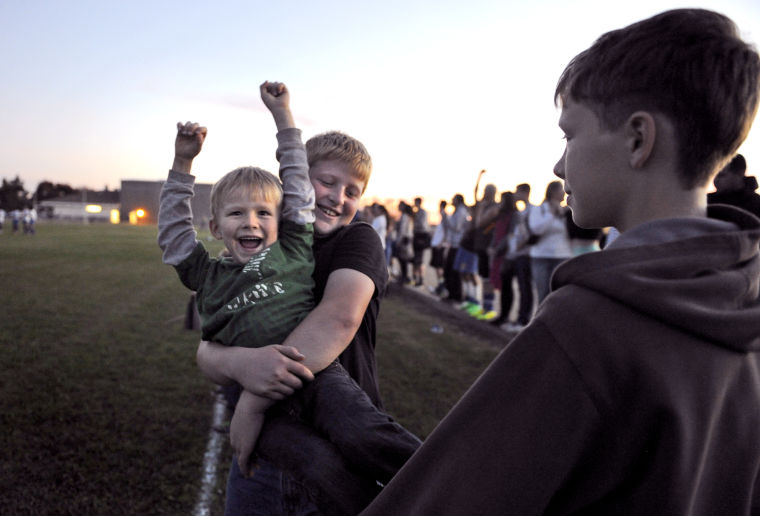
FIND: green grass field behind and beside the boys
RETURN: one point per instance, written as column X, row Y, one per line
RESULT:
column 102, row 409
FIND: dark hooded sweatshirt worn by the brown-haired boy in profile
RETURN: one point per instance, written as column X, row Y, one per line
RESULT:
column 635, row 390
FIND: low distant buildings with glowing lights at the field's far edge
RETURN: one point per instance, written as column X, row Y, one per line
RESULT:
column 136, row 202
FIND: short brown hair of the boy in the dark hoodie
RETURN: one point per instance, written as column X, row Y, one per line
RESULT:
column 689, row 65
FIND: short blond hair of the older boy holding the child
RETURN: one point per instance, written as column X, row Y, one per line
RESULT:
column 334, row 145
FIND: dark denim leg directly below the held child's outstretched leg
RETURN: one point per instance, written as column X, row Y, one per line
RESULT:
column 314, row 463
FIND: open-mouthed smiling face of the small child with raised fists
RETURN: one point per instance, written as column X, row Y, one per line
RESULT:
column 246, row 222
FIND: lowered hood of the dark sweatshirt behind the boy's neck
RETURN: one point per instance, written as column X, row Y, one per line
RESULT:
column 705, row 284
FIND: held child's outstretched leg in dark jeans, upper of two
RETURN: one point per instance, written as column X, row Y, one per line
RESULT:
column 368, row 438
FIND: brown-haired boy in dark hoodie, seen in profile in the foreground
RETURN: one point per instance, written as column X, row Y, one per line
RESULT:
column 635, row 389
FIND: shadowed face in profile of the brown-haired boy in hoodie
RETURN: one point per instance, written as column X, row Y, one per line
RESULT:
column 590, row 166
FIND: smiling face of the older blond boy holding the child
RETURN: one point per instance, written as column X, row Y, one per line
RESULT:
column 337, row 192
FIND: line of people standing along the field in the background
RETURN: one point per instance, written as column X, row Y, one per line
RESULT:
column 493, row 247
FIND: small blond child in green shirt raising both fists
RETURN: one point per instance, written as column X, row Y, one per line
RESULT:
column 258, row 294
